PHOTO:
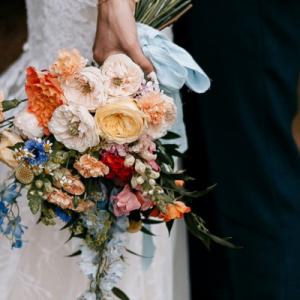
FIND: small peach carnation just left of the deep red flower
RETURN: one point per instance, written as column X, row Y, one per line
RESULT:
column 88, row 166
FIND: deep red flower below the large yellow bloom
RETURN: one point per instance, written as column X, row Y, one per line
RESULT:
column 117, row 169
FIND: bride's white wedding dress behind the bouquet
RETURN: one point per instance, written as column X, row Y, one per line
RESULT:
column 41, row 270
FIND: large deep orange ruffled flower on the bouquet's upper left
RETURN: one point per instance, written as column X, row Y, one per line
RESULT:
column 44, row 95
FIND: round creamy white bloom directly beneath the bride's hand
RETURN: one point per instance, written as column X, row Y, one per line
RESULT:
column 122, row 77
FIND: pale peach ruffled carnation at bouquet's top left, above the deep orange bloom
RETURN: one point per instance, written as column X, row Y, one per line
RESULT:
column 68, row 63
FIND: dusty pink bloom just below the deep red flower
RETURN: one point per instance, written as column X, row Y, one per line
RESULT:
column 125, row 202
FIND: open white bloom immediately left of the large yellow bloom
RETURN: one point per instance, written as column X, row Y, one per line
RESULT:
column 74, row 126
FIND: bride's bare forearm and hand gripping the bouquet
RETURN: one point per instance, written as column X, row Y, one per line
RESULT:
column 117, row 33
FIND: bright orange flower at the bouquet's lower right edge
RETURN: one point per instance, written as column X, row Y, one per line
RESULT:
column 175, row 210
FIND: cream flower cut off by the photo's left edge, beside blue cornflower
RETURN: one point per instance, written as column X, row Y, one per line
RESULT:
column 8, row 139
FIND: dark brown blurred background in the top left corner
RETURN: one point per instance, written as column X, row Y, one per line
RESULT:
column 13, row 31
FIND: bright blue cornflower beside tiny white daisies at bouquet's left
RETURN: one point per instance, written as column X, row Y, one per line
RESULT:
column 37, row 149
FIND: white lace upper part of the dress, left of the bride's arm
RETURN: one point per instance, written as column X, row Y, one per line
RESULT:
column 56, row 24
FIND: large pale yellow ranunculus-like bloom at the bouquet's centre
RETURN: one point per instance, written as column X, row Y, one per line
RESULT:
column 120, row 121
